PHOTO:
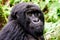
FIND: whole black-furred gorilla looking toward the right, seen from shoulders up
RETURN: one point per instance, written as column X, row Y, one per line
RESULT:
column 26, row 22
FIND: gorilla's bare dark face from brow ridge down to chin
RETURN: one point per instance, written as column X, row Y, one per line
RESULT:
column 35, row 22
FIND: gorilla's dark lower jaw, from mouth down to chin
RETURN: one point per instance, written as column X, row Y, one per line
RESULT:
column 36, row 31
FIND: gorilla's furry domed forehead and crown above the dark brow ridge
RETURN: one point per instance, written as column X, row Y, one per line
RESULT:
column 26, row 7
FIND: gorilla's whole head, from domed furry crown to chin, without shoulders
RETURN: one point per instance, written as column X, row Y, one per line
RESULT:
column 30, row 17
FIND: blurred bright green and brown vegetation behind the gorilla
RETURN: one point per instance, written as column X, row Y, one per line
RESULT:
column 50, row 8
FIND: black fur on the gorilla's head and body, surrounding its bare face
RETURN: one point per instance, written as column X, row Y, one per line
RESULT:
column 17, row 27
